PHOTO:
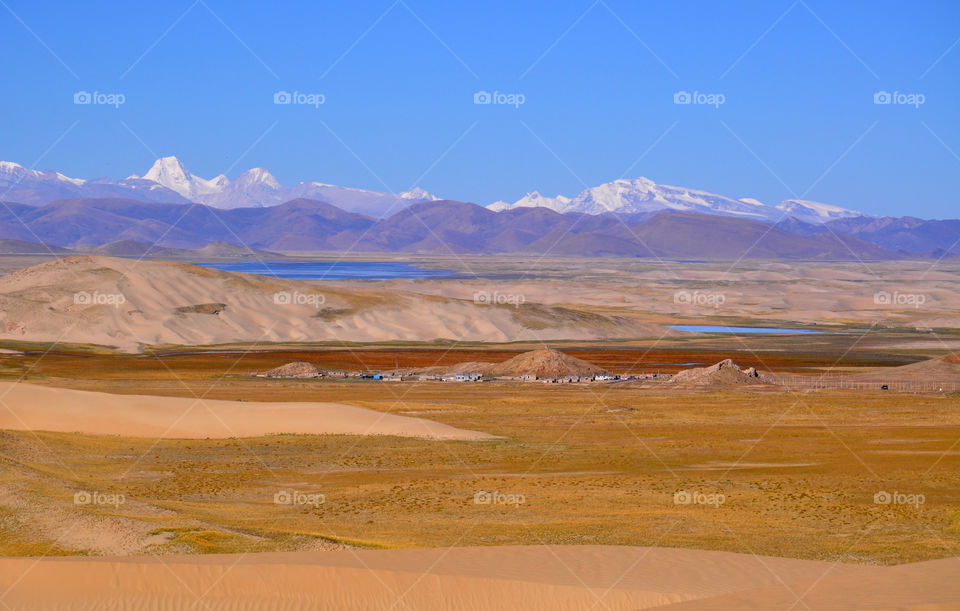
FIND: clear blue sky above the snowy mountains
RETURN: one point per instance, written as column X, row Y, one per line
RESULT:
column 598, row 79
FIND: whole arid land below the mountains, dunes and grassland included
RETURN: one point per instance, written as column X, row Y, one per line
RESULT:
column 815, row 489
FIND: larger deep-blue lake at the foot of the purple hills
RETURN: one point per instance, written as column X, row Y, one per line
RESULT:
column 334, row 270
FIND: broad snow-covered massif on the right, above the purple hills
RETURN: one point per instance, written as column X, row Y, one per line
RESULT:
column 642, row 195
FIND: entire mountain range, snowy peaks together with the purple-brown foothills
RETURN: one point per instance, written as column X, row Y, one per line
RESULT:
column 169, row 207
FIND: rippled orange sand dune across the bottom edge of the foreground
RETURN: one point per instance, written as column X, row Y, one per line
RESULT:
column 535, row 577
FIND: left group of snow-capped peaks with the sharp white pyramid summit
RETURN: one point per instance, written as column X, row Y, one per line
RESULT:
column 169, row 181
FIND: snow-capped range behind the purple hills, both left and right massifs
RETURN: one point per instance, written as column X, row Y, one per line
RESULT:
column 169, row 181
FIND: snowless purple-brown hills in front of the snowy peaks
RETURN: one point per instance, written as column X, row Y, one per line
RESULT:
column 128, row 227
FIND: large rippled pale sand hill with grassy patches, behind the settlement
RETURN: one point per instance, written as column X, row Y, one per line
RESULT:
column 125, row 303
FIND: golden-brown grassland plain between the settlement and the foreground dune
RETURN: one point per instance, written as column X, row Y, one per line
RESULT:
column 591, row 464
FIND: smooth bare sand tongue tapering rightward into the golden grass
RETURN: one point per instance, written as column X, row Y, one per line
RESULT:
column 31, row 407
